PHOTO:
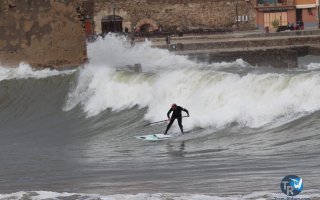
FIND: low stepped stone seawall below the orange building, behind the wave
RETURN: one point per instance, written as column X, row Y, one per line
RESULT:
column 274, row 49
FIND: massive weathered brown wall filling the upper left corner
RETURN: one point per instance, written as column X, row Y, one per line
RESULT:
column 46, row 33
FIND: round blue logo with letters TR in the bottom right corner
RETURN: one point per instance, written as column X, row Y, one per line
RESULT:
column 291, row 185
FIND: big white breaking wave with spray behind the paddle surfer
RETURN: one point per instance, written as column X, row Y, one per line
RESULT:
column 215, row 98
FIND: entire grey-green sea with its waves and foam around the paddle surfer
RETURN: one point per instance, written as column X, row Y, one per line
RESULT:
column 70, row 135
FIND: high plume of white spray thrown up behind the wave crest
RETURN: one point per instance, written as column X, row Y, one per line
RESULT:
column 113, row 51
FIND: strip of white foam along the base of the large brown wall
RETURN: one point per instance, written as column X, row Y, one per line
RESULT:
column 24, row 71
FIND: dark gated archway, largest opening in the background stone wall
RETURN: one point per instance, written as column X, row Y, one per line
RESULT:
column 111, row 23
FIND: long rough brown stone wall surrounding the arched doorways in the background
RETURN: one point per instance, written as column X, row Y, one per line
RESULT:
column 180, row 15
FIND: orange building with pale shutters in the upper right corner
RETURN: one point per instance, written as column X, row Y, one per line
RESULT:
column 274, row 13
